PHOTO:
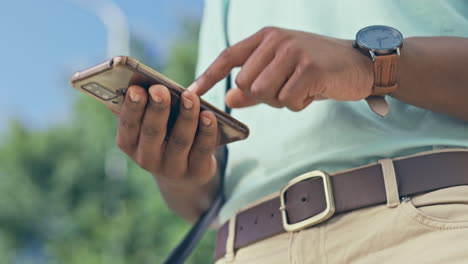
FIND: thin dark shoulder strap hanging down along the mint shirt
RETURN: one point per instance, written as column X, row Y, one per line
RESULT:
column 191, row 239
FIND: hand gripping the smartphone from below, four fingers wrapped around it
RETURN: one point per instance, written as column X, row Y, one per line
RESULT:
column 186, row 159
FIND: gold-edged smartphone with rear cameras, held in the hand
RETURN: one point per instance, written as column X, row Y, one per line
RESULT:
column 108, row 82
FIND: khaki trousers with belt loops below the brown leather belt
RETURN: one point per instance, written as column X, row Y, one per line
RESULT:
column 427, row 228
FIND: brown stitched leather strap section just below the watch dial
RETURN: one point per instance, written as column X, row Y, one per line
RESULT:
column 385, row 74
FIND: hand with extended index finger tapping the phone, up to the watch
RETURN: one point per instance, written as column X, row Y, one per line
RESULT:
column 285, row 68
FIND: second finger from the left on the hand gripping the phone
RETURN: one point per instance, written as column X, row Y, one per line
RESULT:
column 153, row 128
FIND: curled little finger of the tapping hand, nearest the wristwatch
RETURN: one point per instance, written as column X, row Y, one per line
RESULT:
column 294, row 94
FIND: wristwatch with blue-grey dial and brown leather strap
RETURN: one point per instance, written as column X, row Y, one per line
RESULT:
column 382, row 44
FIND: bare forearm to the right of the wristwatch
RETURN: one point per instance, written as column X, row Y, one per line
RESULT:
column 433, row 74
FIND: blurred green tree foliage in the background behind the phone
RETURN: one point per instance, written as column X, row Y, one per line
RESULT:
column 69, row 195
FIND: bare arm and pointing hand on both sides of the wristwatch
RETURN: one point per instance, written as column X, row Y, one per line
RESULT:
column 285, row 68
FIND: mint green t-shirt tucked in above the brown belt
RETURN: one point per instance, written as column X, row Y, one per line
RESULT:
column 327, row 135
